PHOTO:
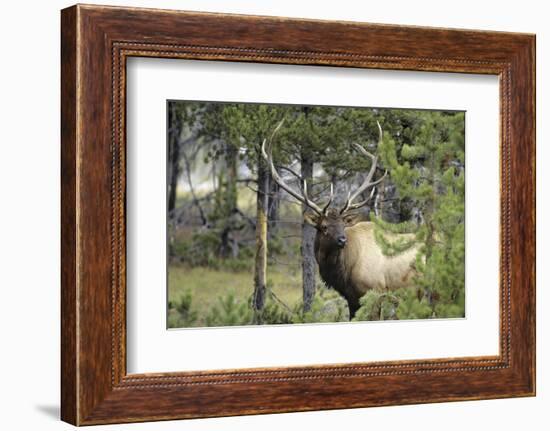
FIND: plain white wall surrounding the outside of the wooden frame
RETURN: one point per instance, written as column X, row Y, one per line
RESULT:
column 29, row 215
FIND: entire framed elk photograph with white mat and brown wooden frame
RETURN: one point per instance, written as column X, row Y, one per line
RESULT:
column 262, row 214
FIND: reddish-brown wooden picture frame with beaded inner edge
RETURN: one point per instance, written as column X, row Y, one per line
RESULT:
column 95, row 43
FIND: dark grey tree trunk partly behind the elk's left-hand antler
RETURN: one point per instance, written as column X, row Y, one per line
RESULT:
column 308, row 242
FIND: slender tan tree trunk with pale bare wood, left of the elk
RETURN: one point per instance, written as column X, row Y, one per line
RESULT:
column 260, row 267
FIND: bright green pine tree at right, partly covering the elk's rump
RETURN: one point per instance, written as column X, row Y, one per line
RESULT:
column 428, row 173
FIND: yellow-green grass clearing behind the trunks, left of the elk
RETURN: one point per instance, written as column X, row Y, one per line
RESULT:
column 207, row 285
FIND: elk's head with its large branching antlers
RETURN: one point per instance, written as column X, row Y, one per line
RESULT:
column 329, row 222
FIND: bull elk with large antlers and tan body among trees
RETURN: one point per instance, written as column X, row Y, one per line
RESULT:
column 349, row 258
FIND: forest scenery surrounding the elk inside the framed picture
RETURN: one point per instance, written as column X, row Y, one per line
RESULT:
column 222, row 200
